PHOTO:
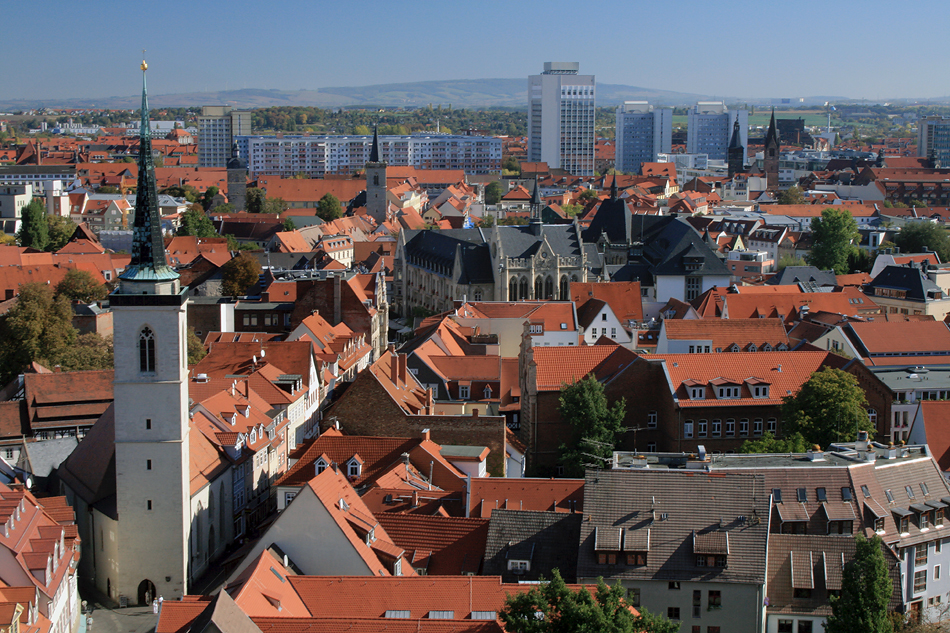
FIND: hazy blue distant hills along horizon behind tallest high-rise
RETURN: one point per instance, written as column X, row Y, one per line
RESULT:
column 467, row 93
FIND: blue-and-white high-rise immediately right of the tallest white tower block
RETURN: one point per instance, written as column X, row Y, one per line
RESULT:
column 642, row 133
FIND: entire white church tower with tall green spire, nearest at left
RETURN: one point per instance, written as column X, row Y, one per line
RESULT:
column 151, row 405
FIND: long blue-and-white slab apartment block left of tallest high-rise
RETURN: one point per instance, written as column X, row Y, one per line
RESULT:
column 318, row 156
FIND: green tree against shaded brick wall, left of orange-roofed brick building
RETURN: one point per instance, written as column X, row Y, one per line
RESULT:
column 597, row 427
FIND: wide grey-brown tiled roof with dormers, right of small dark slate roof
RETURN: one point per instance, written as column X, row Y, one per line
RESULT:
column 692, row 502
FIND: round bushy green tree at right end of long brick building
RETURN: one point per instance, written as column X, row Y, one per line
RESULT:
column 830, row 407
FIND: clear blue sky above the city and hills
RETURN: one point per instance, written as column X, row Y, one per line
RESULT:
column 867, row 49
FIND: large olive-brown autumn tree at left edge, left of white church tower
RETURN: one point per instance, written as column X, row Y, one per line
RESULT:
column 36, row 328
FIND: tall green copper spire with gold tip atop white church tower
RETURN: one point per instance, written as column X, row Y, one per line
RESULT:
column 148, row 248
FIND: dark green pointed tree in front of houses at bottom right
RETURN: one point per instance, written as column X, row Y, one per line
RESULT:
column 866, row 591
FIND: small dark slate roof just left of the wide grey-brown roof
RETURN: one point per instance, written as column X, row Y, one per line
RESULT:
column 547, row 539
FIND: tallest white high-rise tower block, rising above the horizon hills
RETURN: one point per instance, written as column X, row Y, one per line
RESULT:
column 561, row 118
